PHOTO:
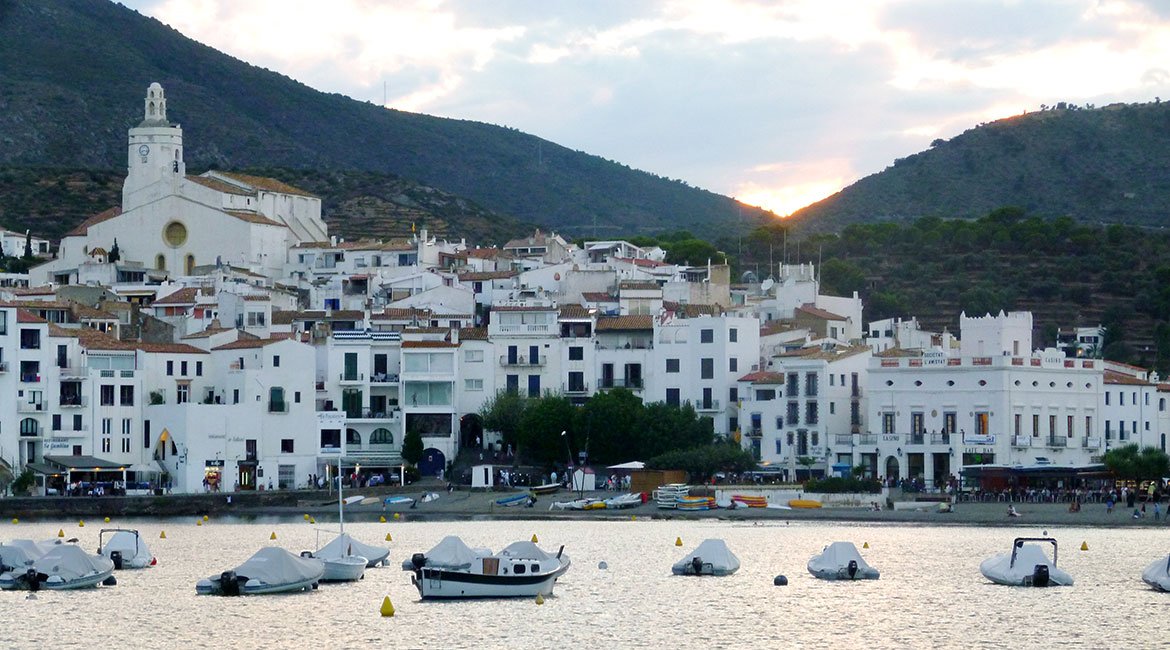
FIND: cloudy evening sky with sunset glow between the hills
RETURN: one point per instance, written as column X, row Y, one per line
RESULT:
column 779, row 103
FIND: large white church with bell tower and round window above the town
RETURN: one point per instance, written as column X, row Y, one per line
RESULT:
column 171, row 223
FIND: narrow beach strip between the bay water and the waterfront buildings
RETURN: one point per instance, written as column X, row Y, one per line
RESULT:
column 481, row 506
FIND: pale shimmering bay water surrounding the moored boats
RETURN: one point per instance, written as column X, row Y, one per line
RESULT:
column 931, row 593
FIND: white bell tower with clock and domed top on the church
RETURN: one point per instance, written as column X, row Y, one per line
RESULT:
column 154, row 153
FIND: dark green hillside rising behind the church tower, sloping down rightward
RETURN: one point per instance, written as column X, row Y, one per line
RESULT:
column 73, row 74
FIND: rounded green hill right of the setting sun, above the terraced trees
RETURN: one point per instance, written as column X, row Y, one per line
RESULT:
column 1095, row 165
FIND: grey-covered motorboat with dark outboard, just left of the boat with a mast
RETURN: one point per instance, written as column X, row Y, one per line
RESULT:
column 271, row 571
